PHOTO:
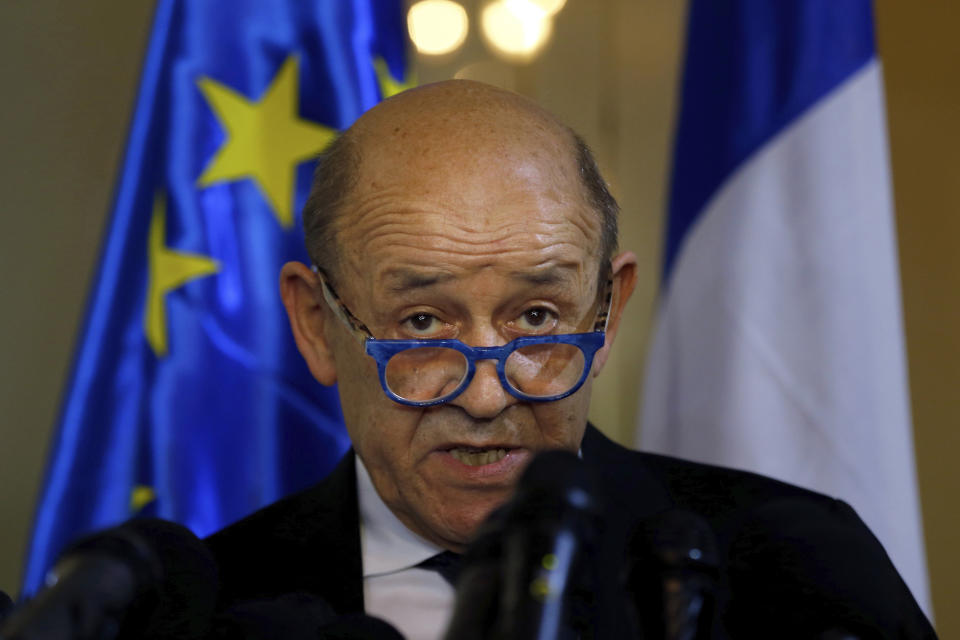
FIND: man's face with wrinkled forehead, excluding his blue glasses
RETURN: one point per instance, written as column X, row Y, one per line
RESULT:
column 477, row 239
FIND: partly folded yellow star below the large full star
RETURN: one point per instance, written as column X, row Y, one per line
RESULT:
column 169, row 270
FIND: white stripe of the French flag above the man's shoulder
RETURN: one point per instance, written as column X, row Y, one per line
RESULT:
column 779, row 342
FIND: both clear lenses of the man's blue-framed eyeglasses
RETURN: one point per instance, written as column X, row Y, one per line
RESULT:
column 423, row 374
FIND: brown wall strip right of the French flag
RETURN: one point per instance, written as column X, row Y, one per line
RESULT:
column 920, row 49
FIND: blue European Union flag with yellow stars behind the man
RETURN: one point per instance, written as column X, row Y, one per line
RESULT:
column 188, row 399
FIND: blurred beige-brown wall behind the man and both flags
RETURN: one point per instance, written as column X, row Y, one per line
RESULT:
column 609, row 68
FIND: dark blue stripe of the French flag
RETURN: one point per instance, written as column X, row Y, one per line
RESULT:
column 738, row 92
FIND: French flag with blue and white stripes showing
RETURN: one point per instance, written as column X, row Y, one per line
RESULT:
column 778, row 345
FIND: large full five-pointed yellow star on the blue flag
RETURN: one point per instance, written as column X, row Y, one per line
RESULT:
column 266, row 139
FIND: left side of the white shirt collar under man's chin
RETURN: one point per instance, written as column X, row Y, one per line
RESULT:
column 386, row 545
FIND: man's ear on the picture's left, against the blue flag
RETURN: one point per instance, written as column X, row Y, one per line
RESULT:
column 308, row 315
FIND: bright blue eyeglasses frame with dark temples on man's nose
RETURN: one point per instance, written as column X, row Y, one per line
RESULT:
column 381, row 350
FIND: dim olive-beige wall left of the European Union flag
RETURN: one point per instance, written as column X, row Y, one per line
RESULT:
column 68, row 73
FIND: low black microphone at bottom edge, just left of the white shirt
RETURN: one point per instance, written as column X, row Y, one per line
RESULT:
column 297, row 616
